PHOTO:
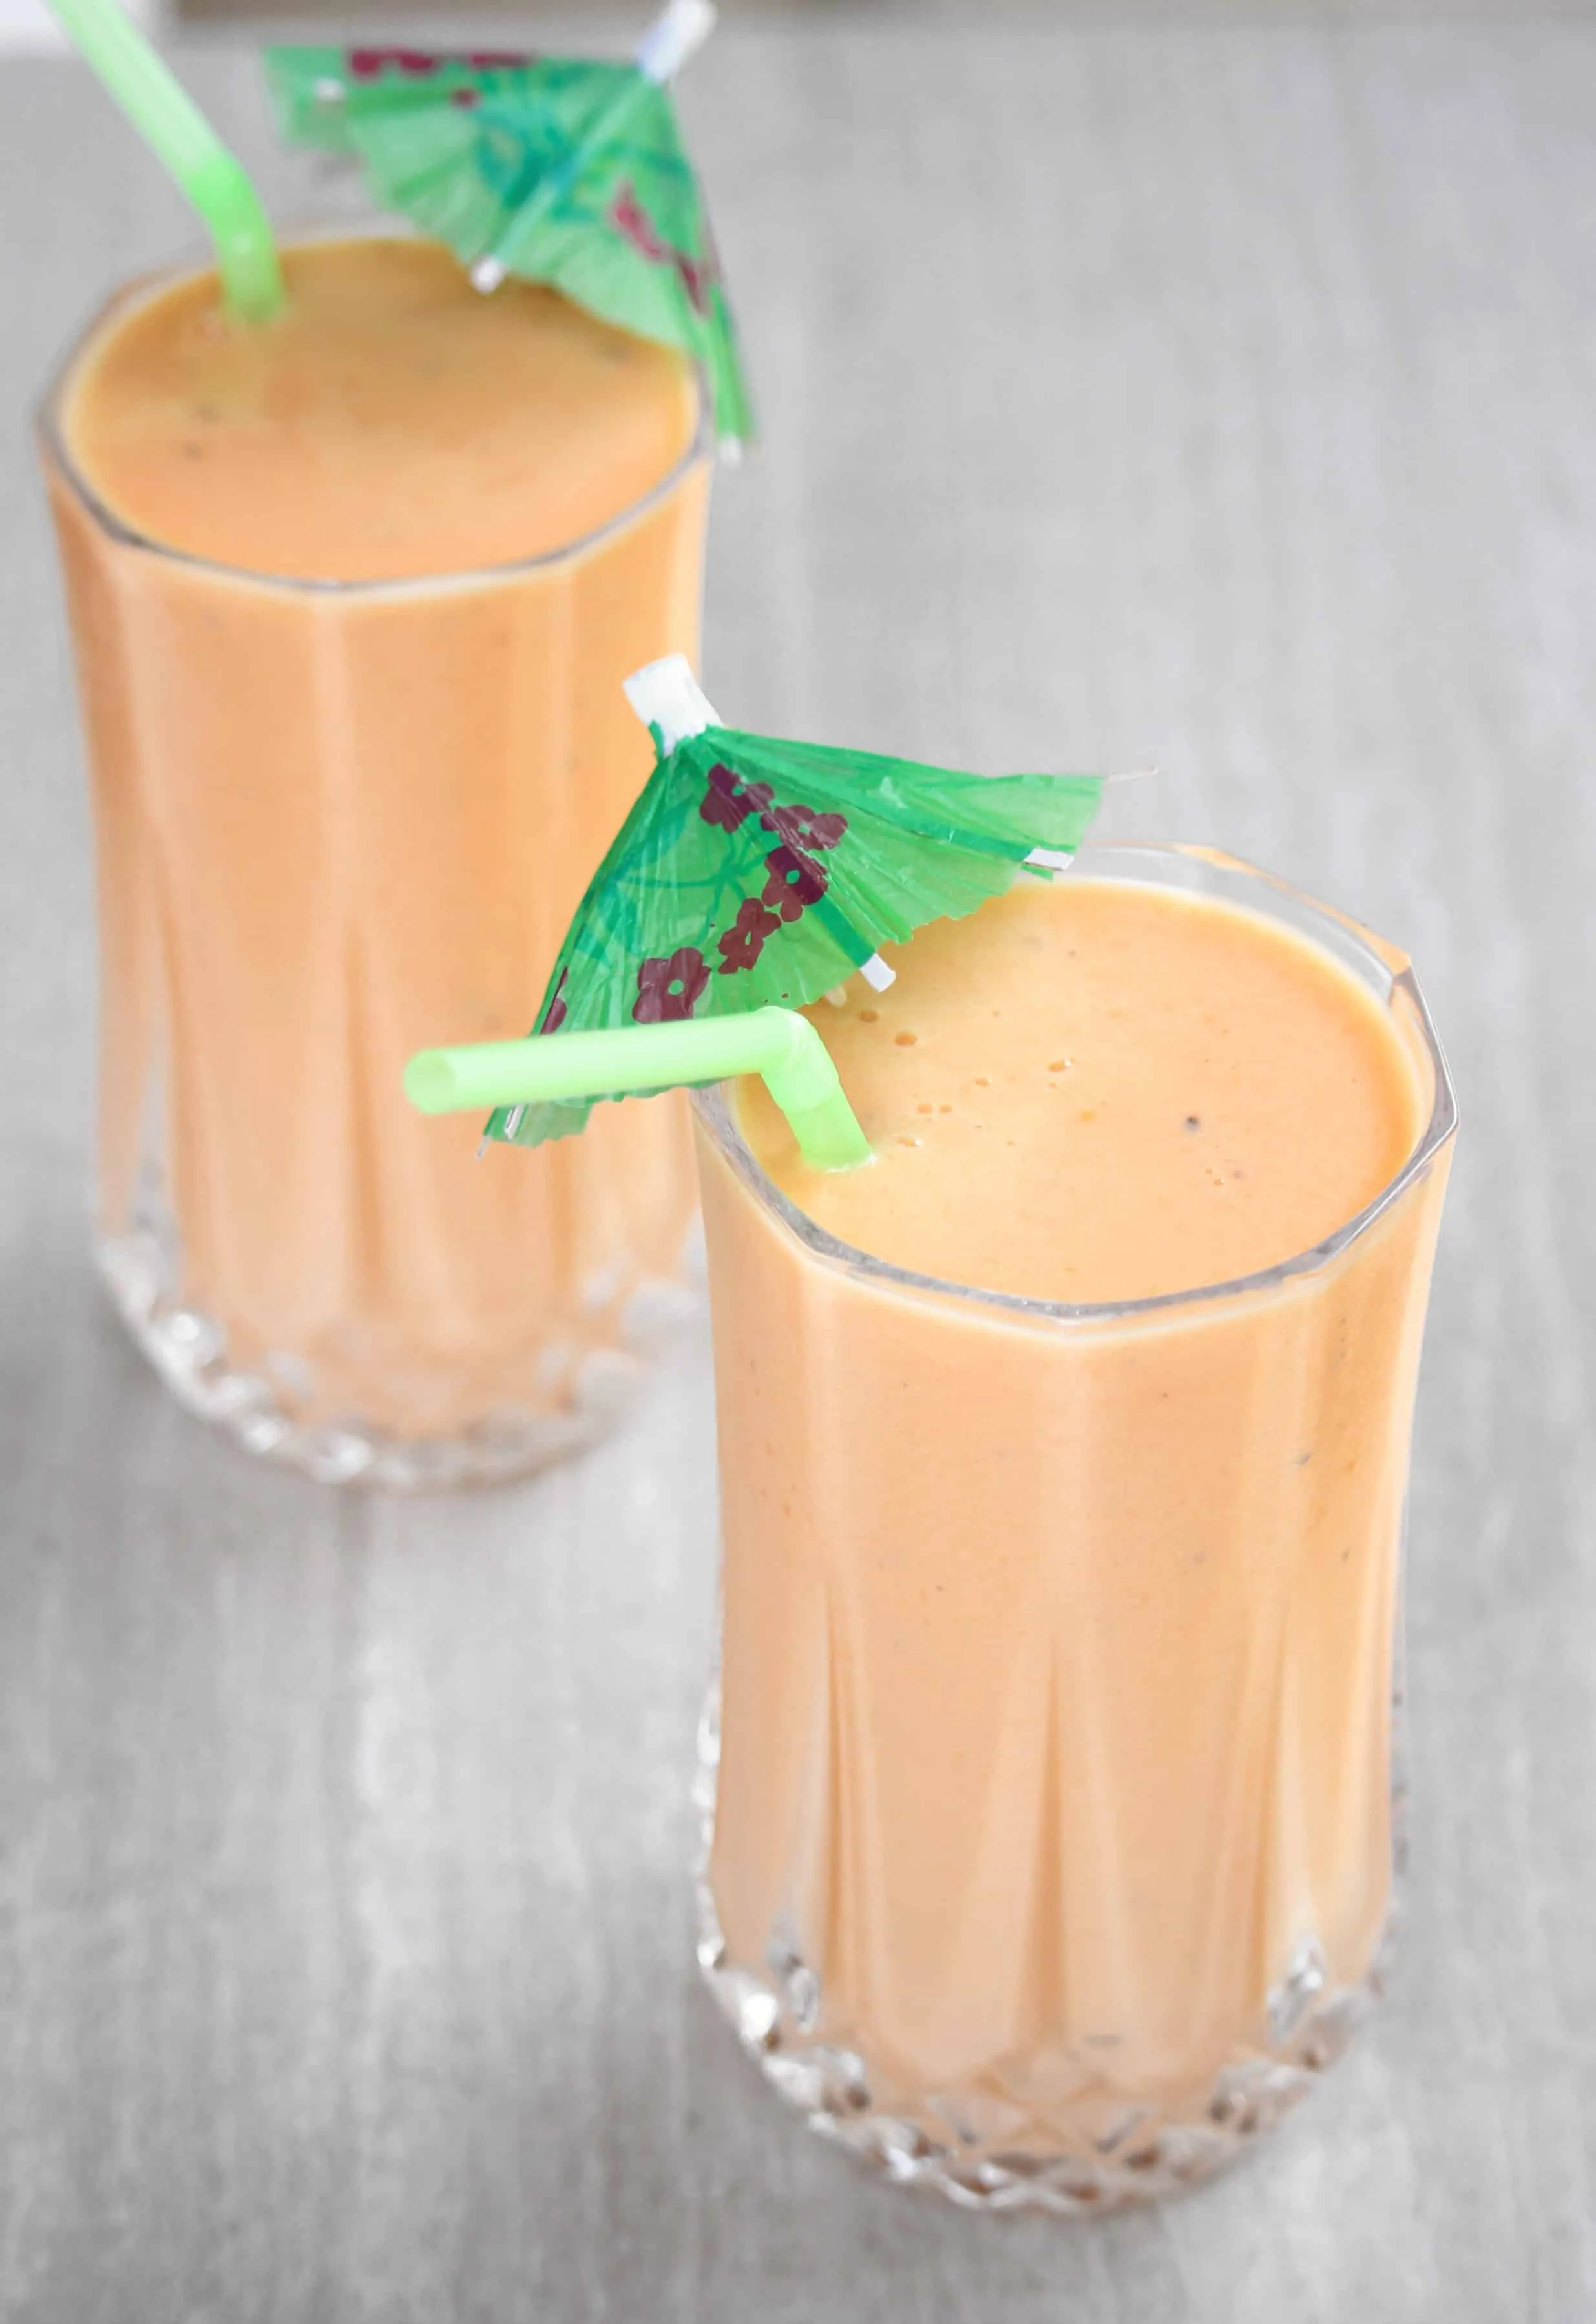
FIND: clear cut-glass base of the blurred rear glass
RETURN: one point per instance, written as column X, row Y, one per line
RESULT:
column 189, row 1351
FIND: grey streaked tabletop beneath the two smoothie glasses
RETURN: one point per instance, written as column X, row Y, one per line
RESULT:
column 1223, row 399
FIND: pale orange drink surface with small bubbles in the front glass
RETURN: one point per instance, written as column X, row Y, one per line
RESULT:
column 1100, row 1091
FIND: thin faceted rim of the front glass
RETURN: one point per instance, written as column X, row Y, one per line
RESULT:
column 1346, row 940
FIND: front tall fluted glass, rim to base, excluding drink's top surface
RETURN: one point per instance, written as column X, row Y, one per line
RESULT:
column 1049, row 1788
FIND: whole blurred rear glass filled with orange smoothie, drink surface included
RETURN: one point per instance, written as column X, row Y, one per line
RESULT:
column 352, row 598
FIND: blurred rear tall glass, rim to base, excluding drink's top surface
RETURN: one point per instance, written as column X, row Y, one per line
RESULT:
column 338, row 822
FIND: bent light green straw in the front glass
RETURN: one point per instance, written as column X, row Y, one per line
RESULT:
column 777, row 1045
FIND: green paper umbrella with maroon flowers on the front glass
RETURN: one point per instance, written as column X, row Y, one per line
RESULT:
column 763, row 873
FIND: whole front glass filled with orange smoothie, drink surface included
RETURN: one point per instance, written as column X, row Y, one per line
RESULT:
column 1063, row 1475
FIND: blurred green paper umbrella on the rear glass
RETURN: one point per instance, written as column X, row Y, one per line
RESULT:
column 563, row 171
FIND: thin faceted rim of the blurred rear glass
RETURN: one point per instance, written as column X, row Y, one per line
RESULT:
column 700, row 452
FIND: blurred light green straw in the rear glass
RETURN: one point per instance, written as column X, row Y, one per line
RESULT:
column 185, row 141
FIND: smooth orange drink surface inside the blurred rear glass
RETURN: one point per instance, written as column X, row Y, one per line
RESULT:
column 389, row 424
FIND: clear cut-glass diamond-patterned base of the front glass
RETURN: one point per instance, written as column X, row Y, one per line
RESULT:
column 984, row 2146
